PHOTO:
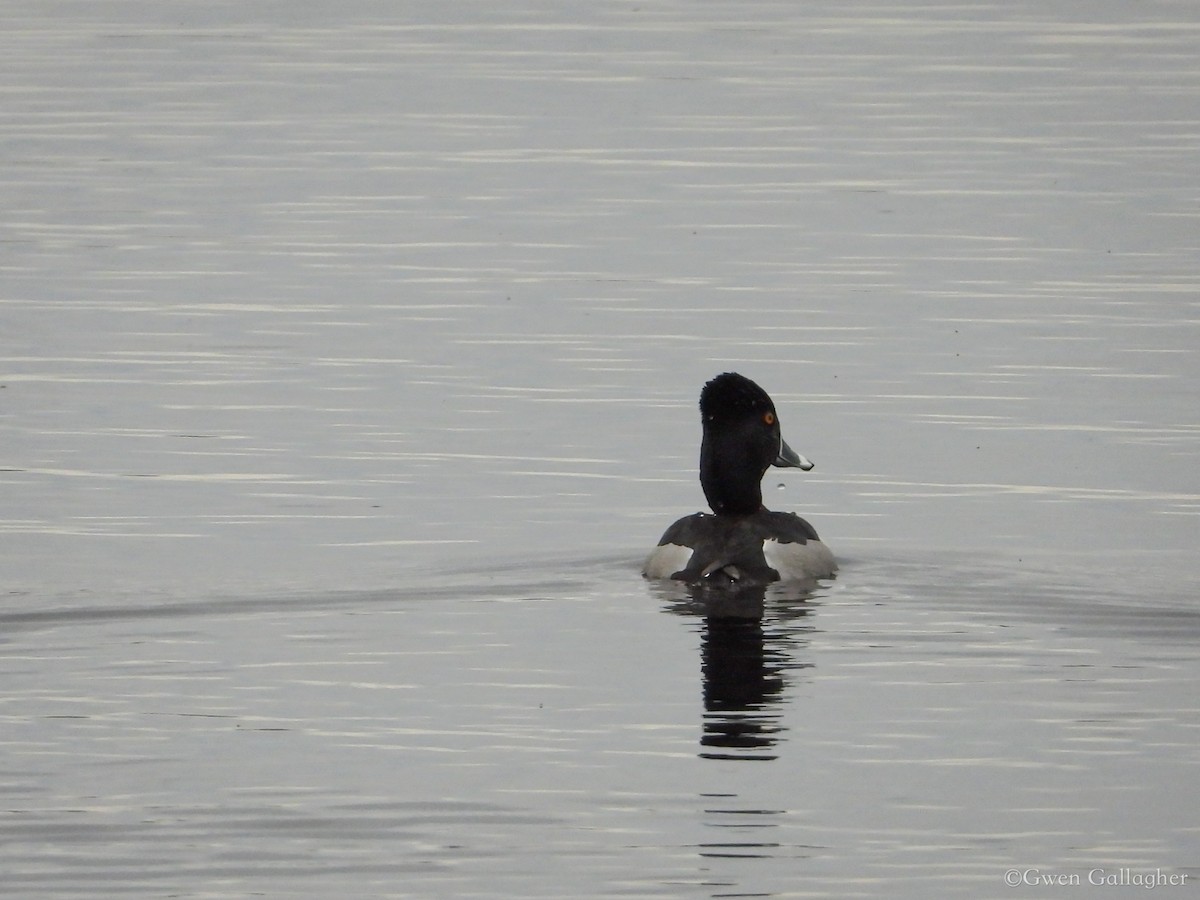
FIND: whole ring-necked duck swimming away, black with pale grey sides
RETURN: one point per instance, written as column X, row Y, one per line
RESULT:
column 743, row 543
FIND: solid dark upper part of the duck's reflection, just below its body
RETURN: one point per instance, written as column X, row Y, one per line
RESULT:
column 751, row 639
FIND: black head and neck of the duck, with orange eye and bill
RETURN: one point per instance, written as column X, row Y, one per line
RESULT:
column 742, row 440
